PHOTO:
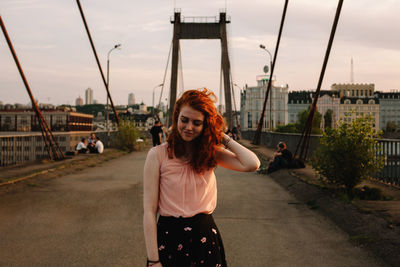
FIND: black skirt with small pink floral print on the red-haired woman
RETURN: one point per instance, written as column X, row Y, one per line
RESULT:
column 193, row 241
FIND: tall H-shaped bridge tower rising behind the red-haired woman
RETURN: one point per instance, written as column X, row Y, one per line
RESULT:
column 201, row 28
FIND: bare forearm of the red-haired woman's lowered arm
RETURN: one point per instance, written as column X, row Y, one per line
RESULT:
column 150, row 235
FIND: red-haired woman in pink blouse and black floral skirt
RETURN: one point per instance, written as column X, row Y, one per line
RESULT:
column 180, row 185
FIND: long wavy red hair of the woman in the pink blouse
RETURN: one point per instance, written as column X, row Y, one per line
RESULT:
column 204, row 156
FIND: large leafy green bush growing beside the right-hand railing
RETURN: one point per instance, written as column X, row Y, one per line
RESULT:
column 348, row 154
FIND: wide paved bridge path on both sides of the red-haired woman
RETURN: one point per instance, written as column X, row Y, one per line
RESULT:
column 94, row 218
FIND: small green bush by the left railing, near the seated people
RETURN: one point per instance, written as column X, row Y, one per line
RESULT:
column 127, row 136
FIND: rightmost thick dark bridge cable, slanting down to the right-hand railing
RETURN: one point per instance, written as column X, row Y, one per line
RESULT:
column 304, row 141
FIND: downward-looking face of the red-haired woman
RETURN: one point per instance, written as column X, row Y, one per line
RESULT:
column 190, row 123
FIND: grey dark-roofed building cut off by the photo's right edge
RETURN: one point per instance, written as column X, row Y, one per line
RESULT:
column 389, row 108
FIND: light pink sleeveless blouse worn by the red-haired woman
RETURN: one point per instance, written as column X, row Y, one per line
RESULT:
column 184, row 192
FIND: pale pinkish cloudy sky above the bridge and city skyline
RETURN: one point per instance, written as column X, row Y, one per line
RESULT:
column 53, row 48
